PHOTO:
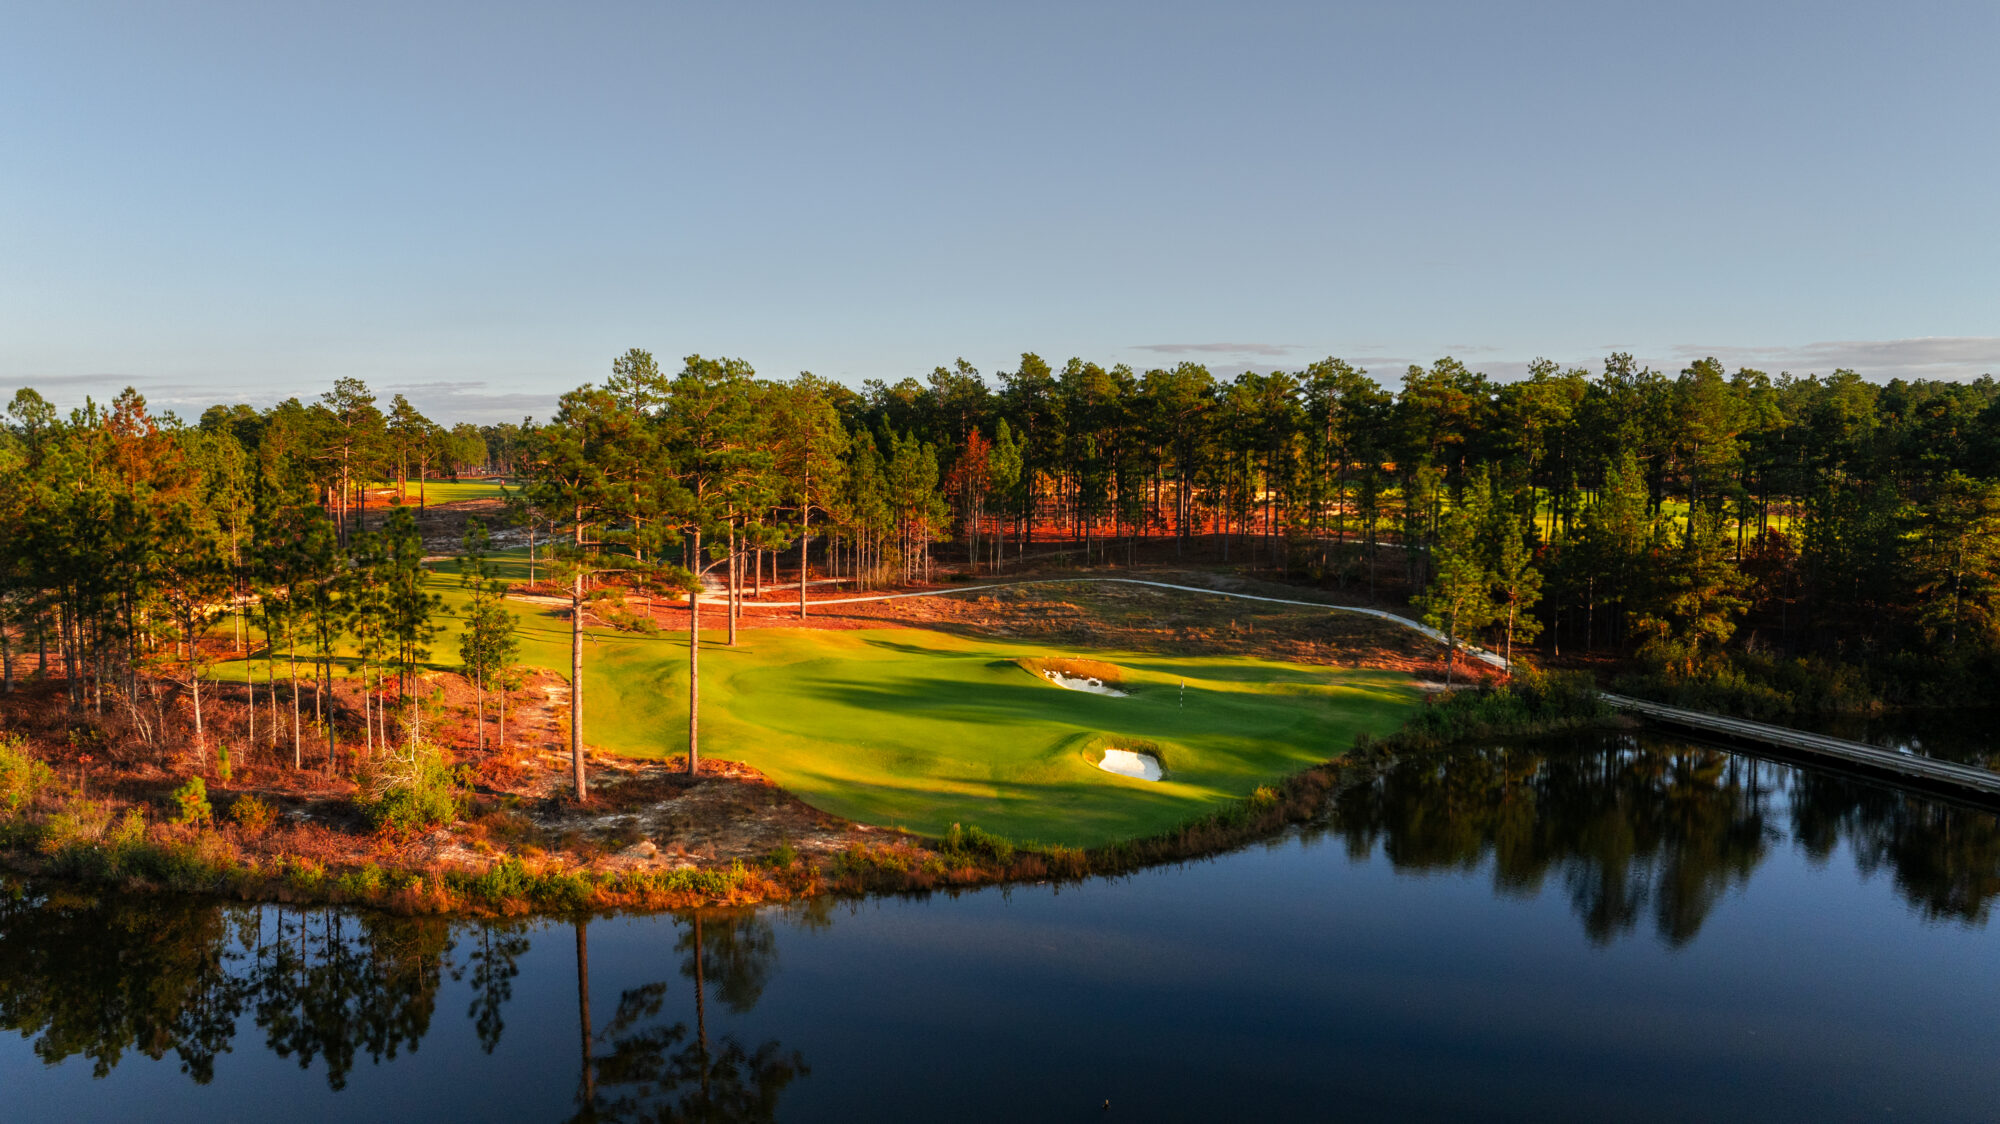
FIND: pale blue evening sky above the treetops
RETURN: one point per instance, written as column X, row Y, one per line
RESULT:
column 483, row 205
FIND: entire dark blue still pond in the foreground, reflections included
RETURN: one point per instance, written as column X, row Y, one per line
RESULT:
column 1609, row 927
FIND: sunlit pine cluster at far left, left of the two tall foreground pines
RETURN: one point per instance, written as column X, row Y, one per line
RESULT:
column 133, row 539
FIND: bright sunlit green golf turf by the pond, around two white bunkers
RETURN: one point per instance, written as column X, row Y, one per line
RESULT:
column 925, row 729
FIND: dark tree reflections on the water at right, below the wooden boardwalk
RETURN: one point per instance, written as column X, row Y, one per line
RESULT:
column 1635, row 827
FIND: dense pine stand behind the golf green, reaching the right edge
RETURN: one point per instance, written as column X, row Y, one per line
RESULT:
column 1787, row 541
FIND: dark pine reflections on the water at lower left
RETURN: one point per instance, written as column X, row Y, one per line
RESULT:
column 105, row 977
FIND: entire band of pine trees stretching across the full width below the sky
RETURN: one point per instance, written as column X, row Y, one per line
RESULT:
column 1779, row 541
